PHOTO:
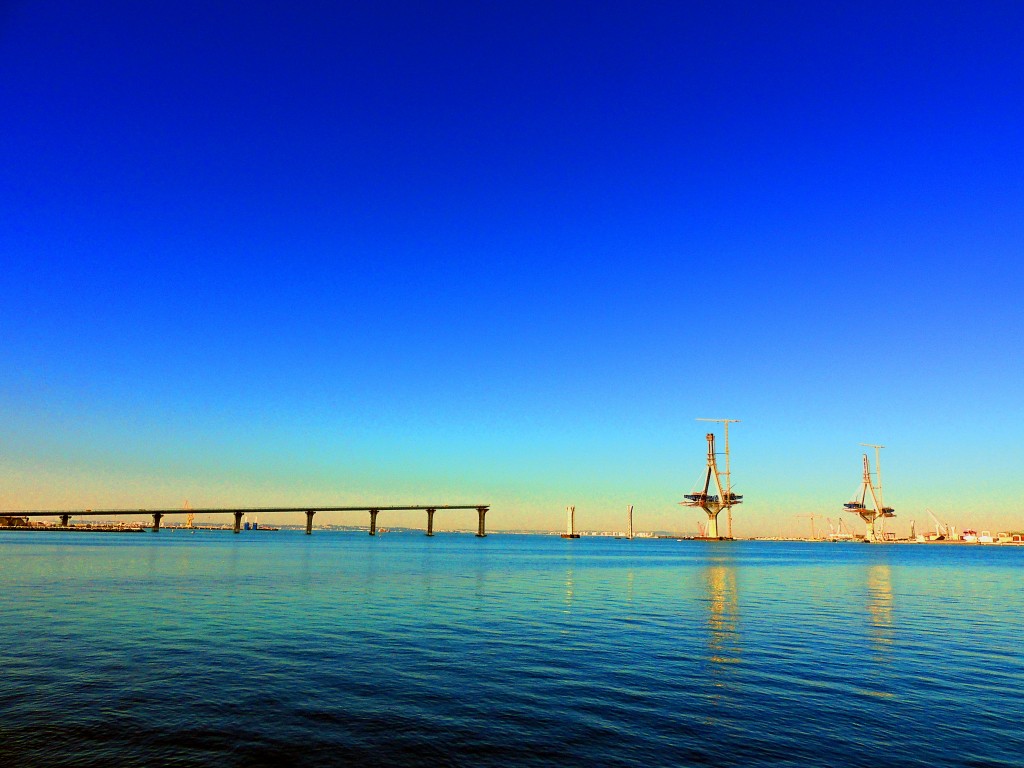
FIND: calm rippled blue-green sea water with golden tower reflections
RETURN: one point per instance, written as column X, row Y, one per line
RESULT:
column 271, row 649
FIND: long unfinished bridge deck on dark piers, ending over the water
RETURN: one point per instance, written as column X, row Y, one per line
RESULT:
column 239, row 513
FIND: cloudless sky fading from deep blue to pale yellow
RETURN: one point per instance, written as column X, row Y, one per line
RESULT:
column 375, row 252
